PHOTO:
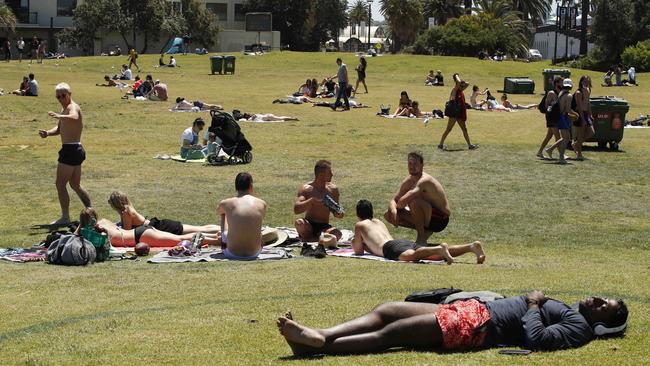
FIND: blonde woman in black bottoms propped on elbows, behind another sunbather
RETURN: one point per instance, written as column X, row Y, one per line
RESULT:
column 131, row 218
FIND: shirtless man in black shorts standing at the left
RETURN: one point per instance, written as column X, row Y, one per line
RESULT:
column 71, row 155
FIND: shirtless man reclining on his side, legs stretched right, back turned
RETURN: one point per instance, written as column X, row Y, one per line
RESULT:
column 371, row 235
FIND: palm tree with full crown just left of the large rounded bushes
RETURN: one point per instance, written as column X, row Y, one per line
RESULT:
column 404, row 18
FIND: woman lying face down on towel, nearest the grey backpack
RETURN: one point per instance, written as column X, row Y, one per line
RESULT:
column 142, row 234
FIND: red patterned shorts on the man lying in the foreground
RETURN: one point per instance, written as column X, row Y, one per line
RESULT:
column 462, row 324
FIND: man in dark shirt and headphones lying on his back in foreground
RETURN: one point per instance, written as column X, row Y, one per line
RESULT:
column 532, row 321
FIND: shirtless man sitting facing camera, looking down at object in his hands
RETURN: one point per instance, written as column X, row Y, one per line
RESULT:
column 310, row 201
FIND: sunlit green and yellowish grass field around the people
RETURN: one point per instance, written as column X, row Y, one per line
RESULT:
column 570, row 231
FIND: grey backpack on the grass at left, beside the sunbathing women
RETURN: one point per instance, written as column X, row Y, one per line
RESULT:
column 71, row 250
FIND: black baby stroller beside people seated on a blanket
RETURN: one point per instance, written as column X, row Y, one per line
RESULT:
column 233, row 142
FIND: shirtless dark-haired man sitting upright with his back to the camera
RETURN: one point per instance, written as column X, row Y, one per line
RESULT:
column 241, row 220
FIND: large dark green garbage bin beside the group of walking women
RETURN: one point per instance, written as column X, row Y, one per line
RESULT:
column 609, row 119
